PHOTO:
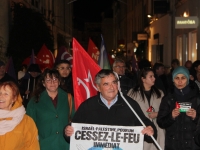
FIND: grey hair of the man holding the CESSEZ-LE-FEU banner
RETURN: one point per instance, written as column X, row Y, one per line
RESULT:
column 102, row 74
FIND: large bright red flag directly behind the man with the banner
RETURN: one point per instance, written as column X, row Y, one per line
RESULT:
column 84, row 71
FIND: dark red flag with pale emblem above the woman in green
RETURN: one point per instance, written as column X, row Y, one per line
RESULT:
column 46, row 58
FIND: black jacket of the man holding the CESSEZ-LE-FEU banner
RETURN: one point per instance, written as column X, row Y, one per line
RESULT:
column 94, row 111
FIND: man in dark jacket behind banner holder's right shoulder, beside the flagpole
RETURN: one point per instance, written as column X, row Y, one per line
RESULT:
column 126, row 83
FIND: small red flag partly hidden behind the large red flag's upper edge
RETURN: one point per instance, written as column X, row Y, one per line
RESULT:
column 93, row 51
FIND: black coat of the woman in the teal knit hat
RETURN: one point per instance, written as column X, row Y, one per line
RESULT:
column 179, row 131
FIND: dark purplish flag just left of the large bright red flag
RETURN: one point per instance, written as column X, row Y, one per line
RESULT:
column 64, row 54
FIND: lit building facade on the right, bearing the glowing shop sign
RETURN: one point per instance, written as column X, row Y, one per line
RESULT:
column 151, row 30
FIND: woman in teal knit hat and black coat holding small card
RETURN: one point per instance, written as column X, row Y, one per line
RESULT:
column 173, row 116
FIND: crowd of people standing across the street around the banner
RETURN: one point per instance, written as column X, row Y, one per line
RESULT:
column 37, row 110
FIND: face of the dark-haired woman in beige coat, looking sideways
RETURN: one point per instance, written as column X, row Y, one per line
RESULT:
column 149, row 80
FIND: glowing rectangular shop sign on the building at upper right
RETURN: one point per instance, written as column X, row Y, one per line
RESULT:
column 186, row 22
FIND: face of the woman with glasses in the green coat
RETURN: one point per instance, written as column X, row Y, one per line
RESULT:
column 51, row 84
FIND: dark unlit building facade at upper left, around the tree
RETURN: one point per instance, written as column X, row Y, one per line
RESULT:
column 57, row 13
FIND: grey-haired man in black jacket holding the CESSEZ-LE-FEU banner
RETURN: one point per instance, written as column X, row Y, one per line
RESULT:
column 109, row 108
